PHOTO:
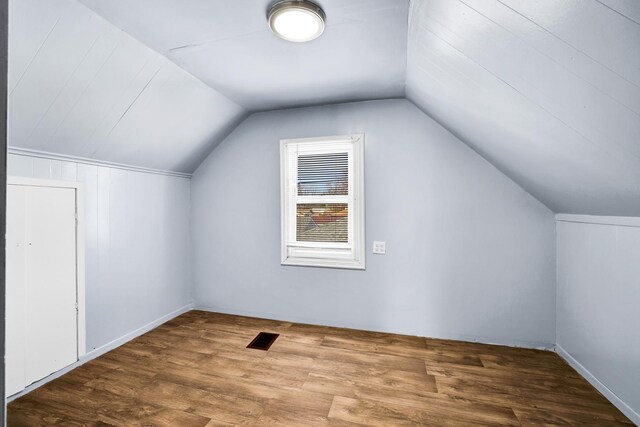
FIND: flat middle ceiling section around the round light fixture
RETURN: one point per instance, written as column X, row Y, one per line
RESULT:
column 228, row 45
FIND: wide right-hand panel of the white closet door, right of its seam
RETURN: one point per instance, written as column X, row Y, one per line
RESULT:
column 51, row 316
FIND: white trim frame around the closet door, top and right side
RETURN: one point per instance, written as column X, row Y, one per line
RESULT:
column 80, row 247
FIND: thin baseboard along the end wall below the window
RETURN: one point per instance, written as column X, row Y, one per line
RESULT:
column 455, row 337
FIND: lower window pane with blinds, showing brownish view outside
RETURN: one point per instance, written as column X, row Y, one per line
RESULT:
column 322, row 222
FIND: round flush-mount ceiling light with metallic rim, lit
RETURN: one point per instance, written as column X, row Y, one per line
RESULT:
column 296, row 20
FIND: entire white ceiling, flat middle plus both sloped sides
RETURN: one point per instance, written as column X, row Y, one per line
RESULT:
column 546, row 90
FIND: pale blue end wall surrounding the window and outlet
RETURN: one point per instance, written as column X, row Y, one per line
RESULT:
column 470, row 254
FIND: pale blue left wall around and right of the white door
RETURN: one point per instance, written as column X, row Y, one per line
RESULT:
column 136, row 243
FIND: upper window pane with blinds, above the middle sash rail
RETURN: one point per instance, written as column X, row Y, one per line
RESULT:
column 323, row 174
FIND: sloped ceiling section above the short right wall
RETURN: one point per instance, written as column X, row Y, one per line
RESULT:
column 547, row 90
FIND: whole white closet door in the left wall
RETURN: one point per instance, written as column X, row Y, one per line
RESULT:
column 42, row 324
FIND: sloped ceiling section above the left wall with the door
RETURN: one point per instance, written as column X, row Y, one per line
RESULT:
column 79, row 86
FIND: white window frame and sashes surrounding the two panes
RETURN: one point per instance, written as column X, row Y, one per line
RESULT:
column 349, row 255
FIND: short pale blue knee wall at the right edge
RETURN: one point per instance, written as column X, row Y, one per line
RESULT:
column 598, row 298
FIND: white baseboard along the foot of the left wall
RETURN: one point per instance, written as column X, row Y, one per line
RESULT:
column 102, row 350
